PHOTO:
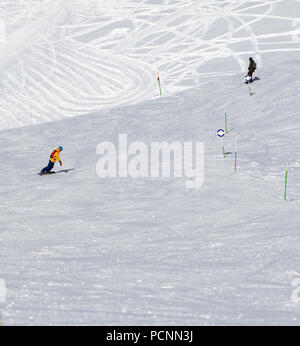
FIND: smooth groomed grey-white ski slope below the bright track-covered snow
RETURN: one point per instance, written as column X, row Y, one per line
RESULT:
column 80, row 249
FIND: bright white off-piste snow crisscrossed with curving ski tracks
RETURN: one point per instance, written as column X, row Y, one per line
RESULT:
column 65, row 58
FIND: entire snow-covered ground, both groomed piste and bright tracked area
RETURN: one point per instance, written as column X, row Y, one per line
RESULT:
column 77, row 249
